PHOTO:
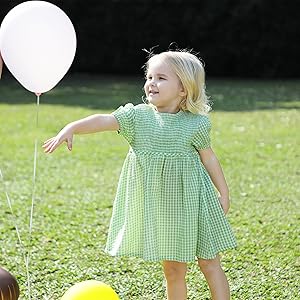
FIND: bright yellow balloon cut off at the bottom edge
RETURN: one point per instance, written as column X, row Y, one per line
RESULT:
column 90, row 290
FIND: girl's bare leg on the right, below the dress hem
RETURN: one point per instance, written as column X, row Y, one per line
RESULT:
column 215, row 277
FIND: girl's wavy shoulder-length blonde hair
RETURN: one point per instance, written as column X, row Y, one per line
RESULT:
column 190, row 72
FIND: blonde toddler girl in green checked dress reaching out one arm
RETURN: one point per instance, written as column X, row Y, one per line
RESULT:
column 166, row 207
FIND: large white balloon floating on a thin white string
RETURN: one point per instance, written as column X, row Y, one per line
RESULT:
column 38, row 44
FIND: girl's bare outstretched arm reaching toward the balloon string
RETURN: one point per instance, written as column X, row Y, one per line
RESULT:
column 91, row 124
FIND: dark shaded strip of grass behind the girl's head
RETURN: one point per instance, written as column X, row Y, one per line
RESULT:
column 108, row 92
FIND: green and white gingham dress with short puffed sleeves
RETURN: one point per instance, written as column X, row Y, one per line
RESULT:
column 166, row 207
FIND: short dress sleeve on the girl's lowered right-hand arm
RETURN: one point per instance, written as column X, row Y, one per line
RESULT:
column 201, row 139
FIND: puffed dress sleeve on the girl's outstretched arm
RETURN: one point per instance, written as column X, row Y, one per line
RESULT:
column 125, row 116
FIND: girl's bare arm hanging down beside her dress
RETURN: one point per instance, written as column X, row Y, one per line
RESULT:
column 213, row 167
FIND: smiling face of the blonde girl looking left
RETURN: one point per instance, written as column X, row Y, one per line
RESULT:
column 163, row 87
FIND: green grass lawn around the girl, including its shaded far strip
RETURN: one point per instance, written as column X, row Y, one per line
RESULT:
column 255, row 136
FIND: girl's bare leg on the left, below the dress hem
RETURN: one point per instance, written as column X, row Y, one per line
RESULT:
column 175, row 276
